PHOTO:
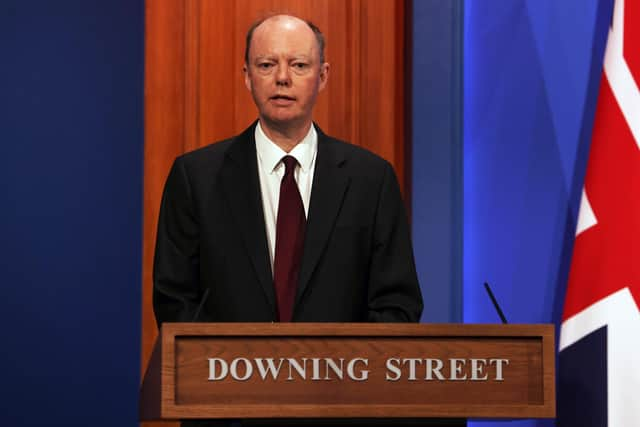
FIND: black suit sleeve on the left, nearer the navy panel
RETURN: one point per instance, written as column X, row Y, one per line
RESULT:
column 176, row 262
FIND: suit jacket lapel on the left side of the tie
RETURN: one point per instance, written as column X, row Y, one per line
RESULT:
column 242, row 190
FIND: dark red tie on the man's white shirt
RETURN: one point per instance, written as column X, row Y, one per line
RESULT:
column 289, row 239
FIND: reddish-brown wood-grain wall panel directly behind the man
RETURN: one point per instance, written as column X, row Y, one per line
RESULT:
column 195, row 92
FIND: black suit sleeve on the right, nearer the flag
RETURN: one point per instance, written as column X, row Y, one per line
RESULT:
column 394, row 293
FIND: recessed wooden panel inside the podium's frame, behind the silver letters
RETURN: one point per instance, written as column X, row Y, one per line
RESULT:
column 193, row 387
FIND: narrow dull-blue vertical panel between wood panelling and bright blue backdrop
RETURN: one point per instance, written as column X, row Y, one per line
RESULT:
column 437, row 155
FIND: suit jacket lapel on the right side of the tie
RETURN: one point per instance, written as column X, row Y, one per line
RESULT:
column 330, row 182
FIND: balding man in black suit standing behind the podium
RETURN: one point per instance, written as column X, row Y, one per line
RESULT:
column 282, row 222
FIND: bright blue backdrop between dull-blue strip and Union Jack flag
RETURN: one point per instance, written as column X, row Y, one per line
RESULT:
column 531, row 74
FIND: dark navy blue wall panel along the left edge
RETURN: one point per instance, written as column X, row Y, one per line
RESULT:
column 70, row 211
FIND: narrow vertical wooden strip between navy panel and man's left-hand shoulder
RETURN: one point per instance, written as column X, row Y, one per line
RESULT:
column 164, row 136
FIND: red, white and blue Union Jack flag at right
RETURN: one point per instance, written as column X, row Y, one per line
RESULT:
column 599, row 362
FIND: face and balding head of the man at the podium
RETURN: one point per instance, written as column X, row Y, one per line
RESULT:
column 284, row 73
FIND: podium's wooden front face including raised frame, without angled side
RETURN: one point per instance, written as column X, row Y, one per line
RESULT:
column 526, row 391
